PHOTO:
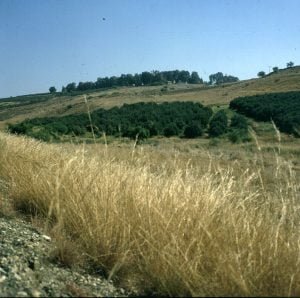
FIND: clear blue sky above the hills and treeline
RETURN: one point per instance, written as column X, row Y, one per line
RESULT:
column 47, row 43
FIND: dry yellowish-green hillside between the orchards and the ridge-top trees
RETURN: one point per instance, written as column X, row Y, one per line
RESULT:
column 10, row 112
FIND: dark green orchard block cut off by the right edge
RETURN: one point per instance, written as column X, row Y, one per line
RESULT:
column 282, row 108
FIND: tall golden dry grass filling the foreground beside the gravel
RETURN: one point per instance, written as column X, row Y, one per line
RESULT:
column 160, row 224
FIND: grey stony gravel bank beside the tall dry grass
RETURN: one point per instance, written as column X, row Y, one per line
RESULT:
column 26, row 270
